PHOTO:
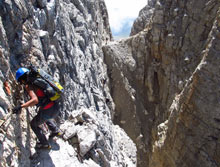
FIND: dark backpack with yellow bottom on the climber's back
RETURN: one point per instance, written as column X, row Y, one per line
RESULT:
column 40, row 78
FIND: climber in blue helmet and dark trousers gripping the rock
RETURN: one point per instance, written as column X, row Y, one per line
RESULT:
column 39, row 96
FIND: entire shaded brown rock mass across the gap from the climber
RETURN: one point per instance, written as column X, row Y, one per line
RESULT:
column 165, row 84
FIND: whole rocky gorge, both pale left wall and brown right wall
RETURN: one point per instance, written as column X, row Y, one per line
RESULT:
column 150, row 100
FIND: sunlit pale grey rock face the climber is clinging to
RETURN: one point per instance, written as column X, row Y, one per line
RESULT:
column 64, row 37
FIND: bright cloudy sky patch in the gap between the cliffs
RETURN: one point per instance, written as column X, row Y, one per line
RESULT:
column 122, row 14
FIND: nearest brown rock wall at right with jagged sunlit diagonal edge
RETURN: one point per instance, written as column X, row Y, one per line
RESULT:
column 190, row 136
